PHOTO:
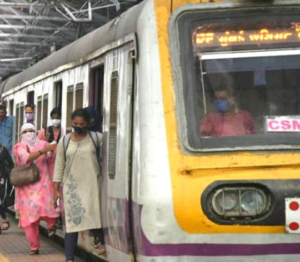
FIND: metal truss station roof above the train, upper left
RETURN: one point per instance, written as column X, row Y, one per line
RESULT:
column 30, row 30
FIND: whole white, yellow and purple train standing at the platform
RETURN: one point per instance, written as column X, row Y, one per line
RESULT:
column 169, row 191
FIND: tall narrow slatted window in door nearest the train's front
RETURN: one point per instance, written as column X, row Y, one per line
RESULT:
column 113, row 125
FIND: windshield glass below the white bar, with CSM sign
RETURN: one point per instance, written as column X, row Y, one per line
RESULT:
column 253, row 96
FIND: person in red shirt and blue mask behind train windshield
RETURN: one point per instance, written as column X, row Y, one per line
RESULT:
column 227, row 119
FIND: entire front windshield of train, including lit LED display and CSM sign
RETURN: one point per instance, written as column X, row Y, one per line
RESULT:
column 242, row 87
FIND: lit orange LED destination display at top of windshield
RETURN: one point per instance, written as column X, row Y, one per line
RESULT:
column 209, row 37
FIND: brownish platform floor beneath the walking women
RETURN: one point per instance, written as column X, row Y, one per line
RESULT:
column 14, row 247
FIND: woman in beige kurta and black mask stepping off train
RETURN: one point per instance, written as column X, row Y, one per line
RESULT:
column 77, row 169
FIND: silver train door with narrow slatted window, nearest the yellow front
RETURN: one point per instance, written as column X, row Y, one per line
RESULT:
column 117, row 140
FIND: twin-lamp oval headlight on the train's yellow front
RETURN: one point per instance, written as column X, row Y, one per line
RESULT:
column 239, row 202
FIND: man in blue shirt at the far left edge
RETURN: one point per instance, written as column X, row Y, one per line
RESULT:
column 6, row 129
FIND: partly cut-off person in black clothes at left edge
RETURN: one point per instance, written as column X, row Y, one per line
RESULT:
column 6, row 189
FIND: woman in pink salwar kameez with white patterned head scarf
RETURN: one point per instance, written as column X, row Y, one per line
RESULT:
column 34, row 202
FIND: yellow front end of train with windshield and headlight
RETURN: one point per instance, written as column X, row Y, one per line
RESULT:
column 233, row 69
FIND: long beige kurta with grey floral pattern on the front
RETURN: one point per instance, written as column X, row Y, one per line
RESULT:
column 79, row 176
